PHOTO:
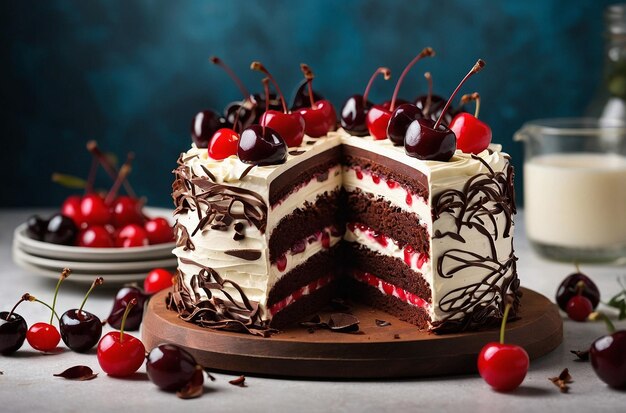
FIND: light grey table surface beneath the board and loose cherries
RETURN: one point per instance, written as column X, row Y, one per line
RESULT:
column 27, row 382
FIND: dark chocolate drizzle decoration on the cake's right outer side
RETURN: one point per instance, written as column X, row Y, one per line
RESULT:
column 485, row 199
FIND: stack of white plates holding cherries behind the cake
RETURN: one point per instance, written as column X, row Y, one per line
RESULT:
column 115, row 265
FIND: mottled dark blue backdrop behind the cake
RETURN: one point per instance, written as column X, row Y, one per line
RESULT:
column 131, row 74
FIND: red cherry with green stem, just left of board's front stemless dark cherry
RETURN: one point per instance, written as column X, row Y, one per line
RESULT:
column 120, row 354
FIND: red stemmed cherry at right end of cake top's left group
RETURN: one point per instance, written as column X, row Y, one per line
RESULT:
column 320, row 117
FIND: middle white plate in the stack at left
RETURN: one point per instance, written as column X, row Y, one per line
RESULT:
column 95, row 267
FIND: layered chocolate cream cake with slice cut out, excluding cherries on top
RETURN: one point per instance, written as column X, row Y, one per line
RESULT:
column 263, row 247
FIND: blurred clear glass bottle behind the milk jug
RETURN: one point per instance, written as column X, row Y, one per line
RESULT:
column 610, row 99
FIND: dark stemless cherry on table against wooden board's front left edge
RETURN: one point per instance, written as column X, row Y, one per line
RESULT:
column 170, row 367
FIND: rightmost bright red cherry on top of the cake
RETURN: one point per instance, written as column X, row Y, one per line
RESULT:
column 472, row 135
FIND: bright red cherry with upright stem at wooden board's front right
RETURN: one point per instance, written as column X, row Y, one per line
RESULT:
column 503, row 366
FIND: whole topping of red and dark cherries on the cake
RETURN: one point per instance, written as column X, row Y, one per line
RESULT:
column 260, row 128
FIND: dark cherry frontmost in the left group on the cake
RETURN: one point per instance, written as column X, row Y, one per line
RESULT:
column 261, row 145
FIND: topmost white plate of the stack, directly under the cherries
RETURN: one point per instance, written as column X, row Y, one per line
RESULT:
column 64, row 252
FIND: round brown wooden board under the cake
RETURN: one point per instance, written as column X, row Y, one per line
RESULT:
column 398, row 350
